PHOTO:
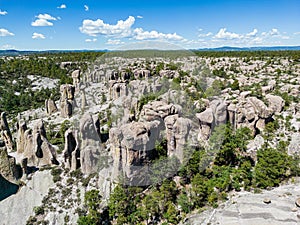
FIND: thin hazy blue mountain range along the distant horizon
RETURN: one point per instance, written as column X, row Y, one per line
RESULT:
column 13, row 52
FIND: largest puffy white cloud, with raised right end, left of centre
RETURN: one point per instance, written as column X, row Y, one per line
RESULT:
column 98, row 27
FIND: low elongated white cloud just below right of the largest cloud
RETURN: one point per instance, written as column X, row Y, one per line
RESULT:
column 140, row 34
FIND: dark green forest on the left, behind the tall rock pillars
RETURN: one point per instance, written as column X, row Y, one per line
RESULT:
column 14, row 71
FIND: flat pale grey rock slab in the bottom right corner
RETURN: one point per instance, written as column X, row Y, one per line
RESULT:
column 249, row 209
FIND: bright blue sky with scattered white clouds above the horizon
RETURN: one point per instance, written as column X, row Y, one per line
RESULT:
column 91, row 24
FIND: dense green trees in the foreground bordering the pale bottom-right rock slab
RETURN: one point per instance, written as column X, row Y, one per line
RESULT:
column 202, row 183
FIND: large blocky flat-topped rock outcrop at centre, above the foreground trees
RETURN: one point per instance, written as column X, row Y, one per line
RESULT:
column 133, row 146
